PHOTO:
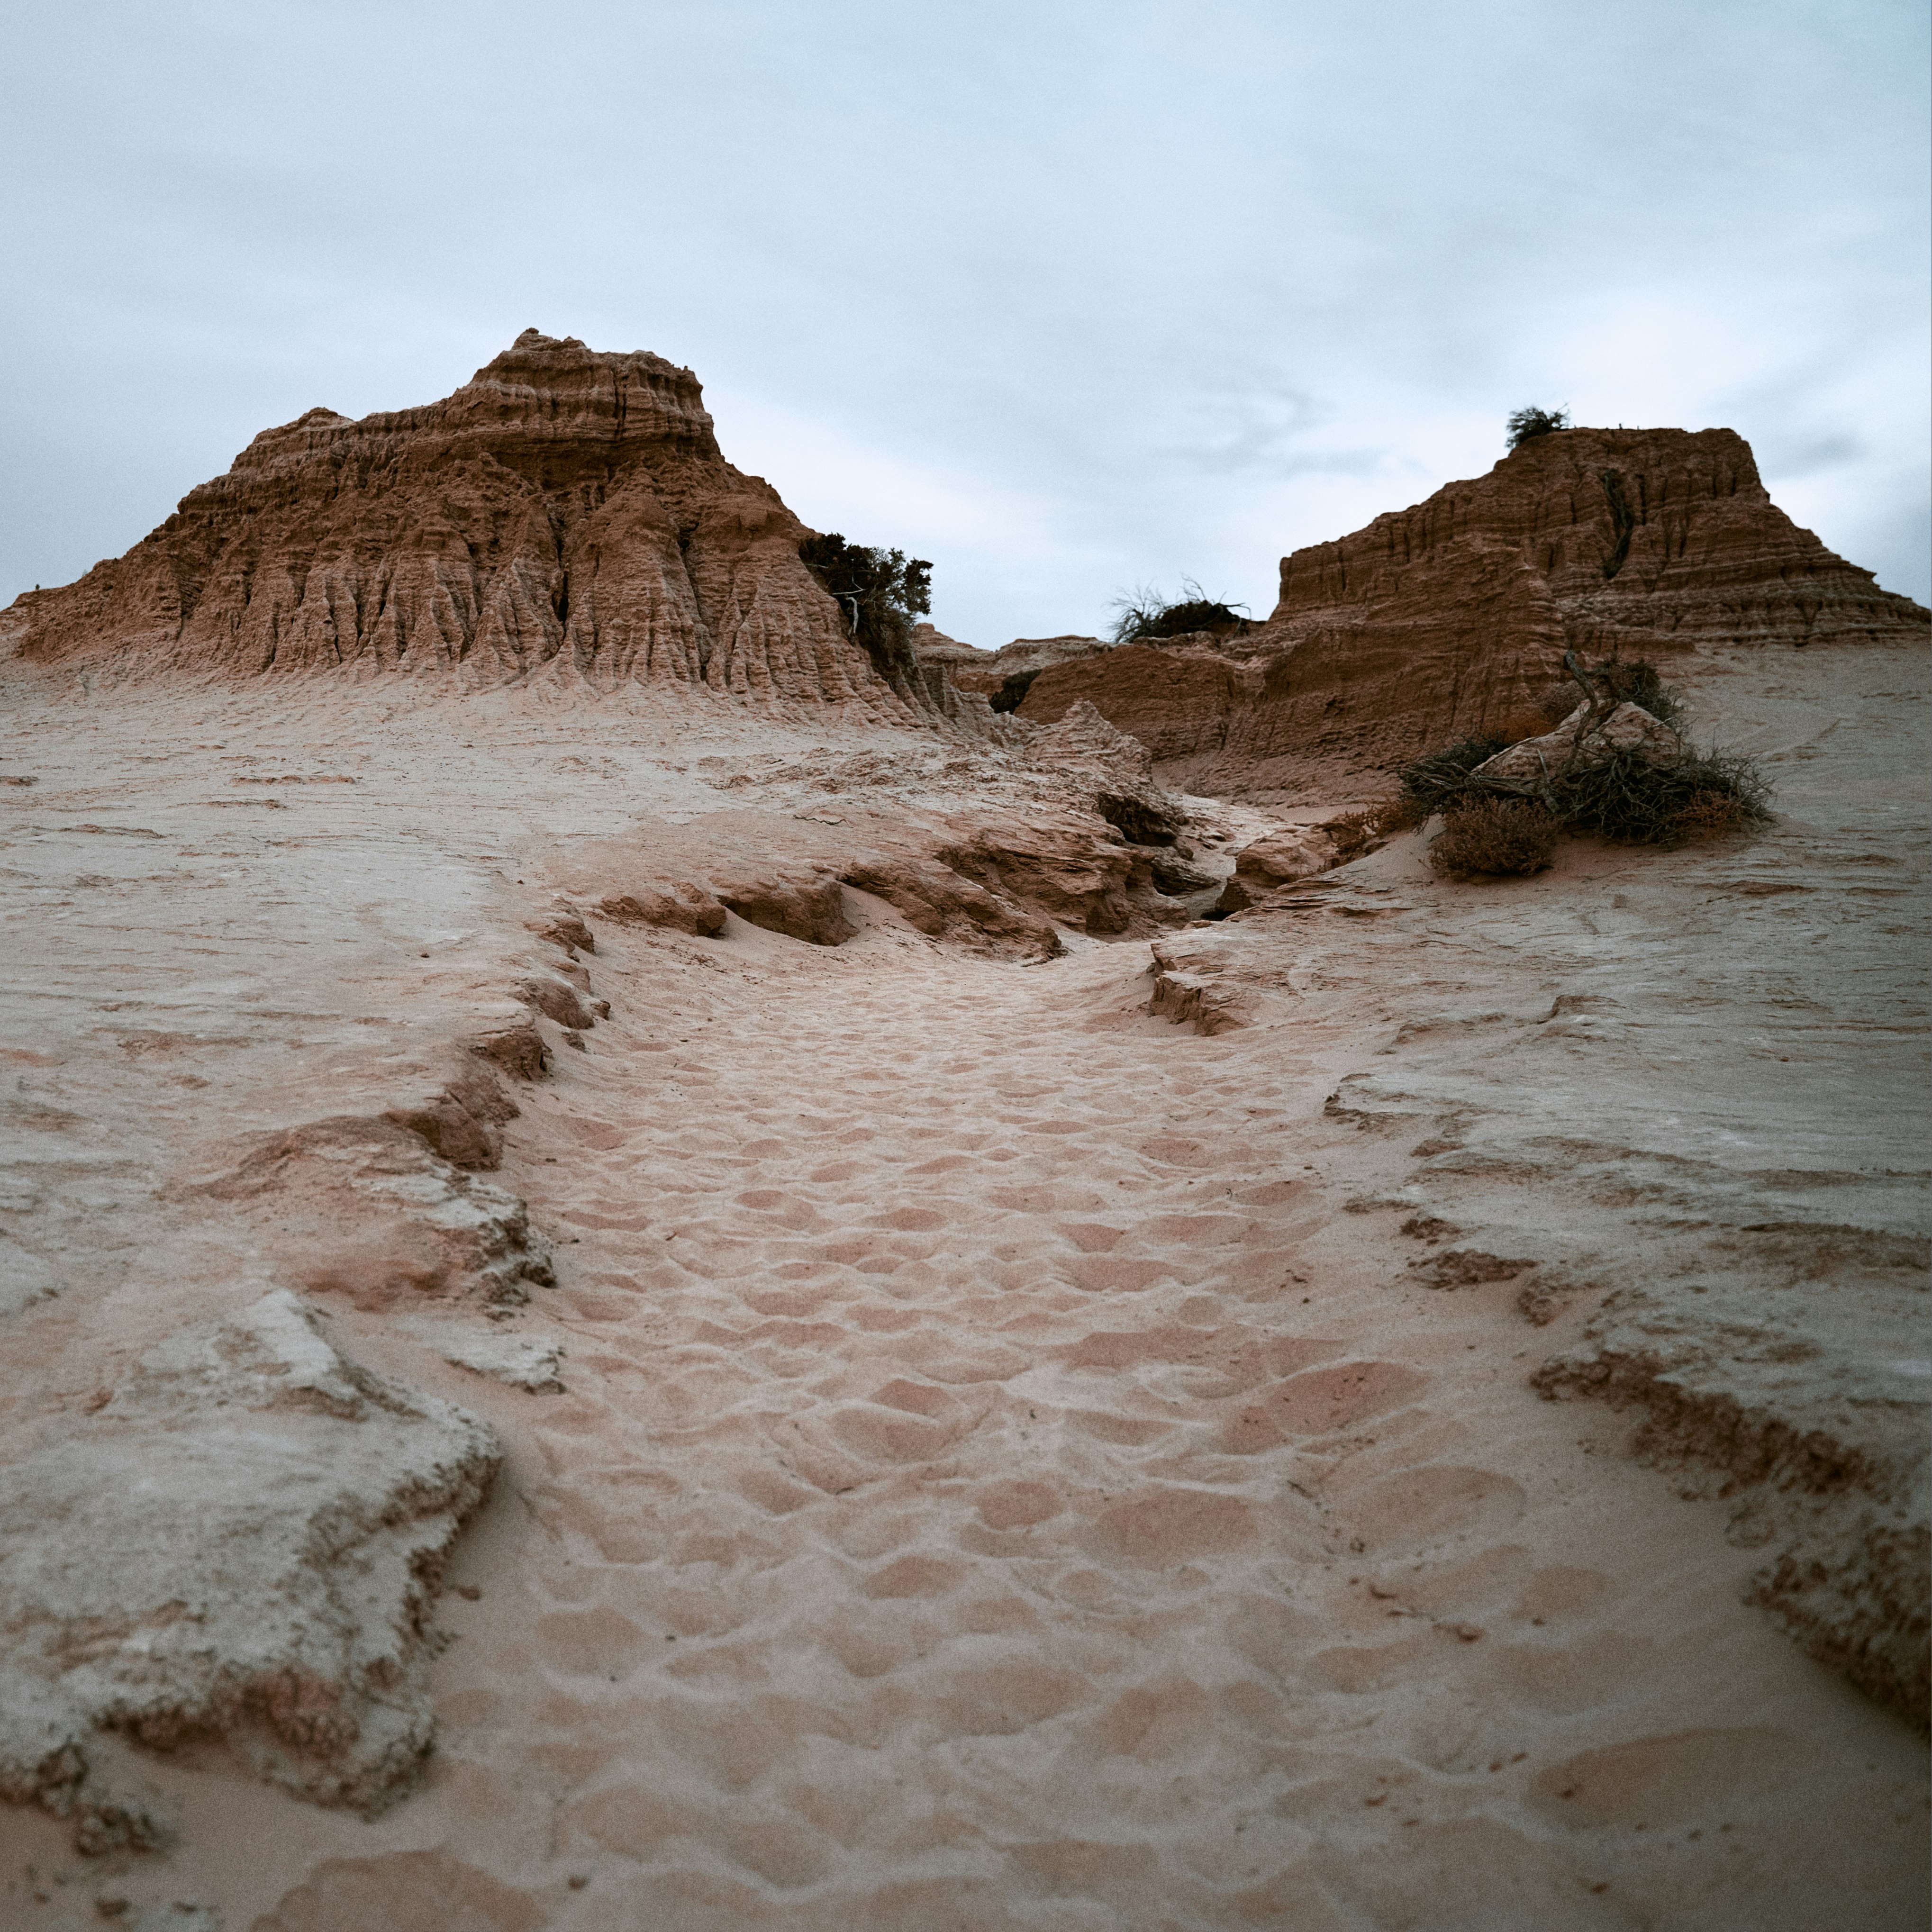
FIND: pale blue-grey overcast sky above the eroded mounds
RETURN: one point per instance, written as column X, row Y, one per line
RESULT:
column 1064, row 297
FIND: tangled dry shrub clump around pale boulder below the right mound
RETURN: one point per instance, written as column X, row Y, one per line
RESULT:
column 1508, row 824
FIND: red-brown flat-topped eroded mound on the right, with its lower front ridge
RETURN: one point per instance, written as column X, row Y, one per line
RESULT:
column 1444, row 619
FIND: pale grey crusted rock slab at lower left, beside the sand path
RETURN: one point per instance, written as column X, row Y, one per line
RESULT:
column 242, row 1541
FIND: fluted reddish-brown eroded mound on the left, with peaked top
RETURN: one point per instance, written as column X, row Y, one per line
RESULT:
column 567, row 513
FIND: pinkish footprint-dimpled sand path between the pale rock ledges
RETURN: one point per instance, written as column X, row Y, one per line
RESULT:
column 1000, row 1485
